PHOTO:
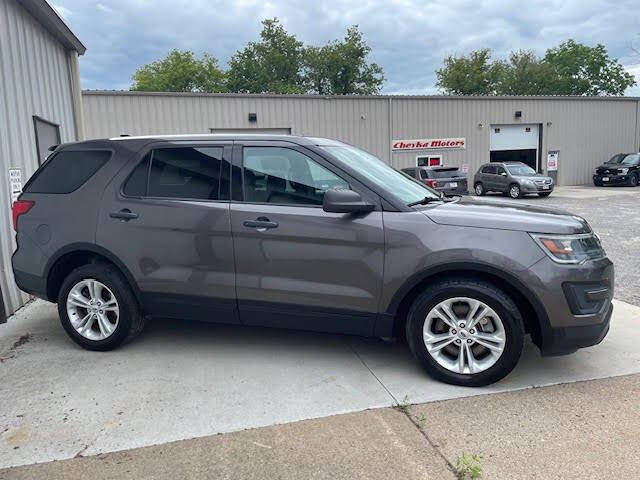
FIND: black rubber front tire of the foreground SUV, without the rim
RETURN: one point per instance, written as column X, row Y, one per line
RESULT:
column 492, row 296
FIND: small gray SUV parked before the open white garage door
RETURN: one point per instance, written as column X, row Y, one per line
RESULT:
column 511, row 178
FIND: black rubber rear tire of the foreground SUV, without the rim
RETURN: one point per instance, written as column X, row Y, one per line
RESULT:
column 130, row 322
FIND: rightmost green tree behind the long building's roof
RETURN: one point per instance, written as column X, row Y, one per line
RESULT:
column 583, row 70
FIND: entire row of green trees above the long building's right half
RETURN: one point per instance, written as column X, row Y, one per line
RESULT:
column 568, row 69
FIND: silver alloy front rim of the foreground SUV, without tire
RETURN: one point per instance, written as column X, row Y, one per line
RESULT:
column 464, row 335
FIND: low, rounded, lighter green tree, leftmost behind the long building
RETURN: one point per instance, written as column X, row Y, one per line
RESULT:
column 180, row 71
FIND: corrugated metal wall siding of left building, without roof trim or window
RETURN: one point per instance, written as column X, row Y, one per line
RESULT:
column 35, row 79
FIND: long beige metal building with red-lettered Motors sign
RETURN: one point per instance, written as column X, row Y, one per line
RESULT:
column 574, row 133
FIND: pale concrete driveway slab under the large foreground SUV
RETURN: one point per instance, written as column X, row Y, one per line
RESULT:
column 185, row 380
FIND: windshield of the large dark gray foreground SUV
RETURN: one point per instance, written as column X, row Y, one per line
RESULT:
column 381, row 174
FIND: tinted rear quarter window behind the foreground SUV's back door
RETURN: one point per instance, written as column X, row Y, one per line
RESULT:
column 67, row 171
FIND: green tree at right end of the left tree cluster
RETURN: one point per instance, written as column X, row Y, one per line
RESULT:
column 341, row 68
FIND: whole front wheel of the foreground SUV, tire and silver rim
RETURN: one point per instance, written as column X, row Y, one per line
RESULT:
column 465, row 332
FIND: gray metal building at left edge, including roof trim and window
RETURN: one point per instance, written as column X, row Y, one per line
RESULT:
column 40, row 105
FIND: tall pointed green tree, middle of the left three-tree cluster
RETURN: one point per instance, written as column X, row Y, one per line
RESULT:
column 272, row 65
